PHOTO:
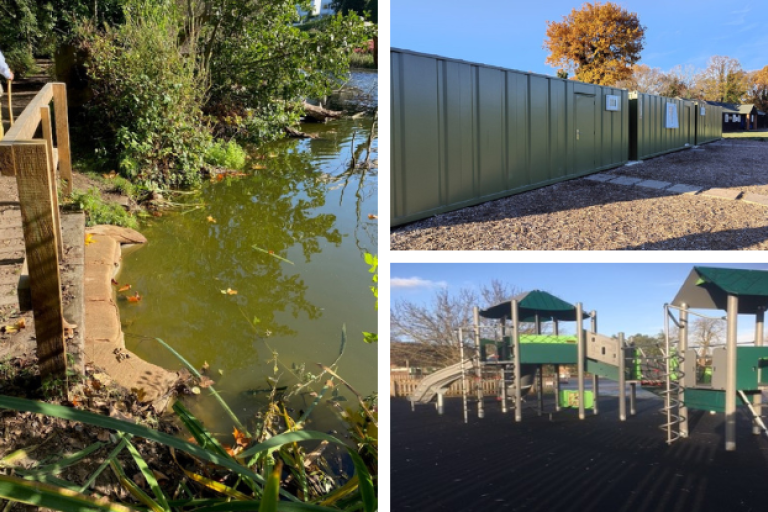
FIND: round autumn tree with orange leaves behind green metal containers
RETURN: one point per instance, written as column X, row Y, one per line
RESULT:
column 599, row 43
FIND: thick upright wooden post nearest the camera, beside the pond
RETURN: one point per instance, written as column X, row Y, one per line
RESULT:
column 33, row 180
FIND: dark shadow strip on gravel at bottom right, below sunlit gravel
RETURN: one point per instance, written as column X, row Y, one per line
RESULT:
column 728, row 240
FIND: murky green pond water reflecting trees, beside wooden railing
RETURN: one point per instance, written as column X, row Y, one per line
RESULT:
column 306, row 207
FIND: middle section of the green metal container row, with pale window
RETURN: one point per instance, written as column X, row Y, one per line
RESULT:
column 659, row 125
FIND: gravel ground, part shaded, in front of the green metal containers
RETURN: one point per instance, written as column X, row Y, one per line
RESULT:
column 586, row 215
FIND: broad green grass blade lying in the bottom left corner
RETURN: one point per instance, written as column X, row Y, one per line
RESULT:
column 48, row 496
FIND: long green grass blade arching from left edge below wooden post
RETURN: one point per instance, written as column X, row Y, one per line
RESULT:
column 58, row 411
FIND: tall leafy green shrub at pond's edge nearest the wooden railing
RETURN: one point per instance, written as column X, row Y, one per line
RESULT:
column 146, row 96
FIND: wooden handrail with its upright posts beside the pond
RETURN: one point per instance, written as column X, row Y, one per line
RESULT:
column 32, row 151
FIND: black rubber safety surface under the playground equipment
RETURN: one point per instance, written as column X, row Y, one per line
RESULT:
column 562, row 464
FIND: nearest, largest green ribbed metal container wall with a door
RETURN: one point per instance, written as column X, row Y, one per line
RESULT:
column 465, row 133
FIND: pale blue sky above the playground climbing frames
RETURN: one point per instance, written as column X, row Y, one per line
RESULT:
column 627, row 297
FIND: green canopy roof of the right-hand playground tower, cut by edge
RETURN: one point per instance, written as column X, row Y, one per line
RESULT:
column 708, row 288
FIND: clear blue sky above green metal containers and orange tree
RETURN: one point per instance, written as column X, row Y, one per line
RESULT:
column 511, row 34
